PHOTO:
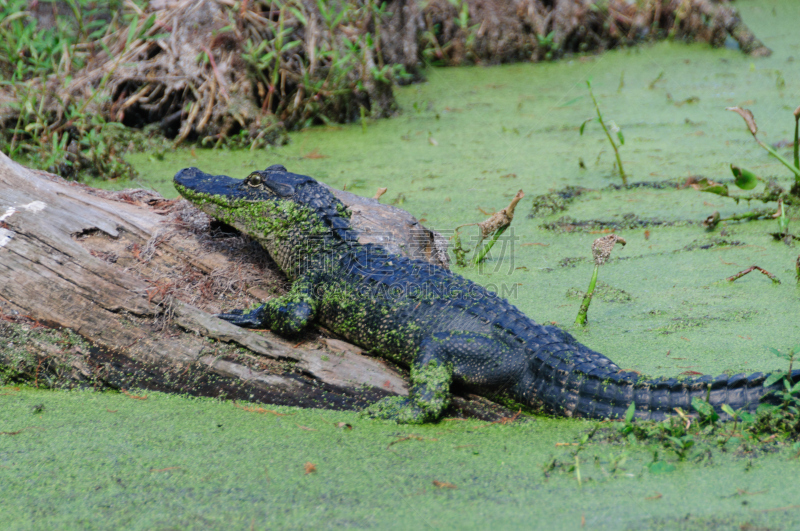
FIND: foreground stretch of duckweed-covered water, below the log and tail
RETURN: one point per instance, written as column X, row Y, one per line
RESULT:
column 106, row 461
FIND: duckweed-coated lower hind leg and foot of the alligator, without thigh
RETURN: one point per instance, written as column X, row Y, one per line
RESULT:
column 429, row 396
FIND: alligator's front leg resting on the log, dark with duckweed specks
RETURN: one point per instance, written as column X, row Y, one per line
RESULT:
column 287, row 315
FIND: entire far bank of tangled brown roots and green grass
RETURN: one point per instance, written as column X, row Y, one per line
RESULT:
column 86, row 82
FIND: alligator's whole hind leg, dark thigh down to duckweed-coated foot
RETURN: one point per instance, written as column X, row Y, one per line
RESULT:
column 439, row 358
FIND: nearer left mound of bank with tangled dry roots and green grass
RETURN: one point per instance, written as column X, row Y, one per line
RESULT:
column 71, row 89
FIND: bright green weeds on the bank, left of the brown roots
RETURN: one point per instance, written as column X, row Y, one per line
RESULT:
column 41, row 124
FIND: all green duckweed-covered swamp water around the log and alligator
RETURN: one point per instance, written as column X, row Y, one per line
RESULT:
column 469, row 138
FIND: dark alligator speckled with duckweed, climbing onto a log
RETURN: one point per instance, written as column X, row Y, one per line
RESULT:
column 445, row 328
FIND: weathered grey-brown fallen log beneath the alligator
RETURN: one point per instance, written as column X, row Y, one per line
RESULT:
column 101, row 288
